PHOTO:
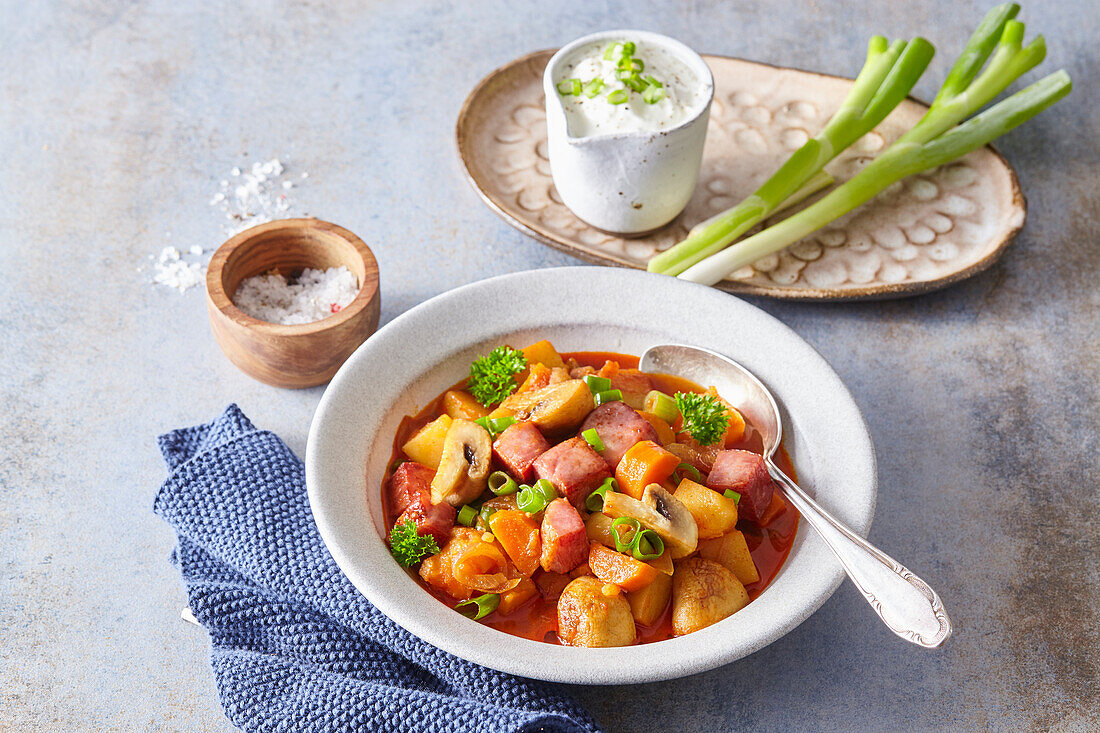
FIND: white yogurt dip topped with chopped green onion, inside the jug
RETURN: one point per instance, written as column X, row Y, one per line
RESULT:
column 665, row 92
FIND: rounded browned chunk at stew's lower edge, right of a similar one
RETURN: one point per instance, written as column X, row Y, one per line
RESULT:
column 705, row 594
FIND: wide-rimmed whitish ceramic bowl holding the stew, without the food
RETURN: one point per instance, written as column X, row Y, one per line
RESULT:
column 430, row 348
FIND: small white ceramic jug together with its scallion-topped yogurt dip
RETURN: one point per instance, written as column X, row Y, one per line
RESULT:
column 626, row 125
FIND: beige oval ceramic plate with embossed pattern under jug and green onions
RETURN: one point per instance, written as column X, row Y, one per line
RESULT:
column 921, row 234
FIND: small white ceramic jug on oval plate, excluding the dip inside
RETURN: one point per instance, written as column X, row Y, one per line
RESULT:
column 628, row 183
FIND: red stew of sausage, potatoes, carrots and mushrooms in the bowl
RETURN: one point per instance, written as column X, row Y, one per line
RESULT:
column 571, row 499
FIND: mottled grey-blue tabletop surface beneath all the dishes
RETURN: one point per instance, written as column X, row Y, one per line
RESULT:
column 118, row 122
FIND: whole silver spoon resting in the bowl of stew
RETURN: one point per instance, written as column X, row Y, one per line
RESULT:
column 907, row 605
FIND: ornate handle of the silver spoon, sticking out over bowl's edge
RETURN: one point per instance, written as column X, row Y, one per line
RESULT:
column 907, row 605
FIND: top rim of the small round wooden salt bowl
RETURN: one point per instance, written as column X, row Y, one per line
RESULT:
column 224, row 304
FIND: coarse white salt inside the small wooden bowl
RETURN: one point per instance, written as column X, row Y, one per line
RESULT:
column 313, row 296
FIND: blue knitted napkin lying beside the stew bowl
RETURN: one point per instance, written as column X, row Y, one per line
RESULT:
column 295, row 647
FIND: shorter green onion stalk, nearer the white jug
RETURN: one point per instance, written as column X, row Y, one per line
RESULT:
column 888, row 76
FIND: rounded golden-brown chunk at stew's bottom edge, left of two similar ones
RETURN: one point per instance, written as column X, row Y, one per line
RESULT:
column 590, row 617
